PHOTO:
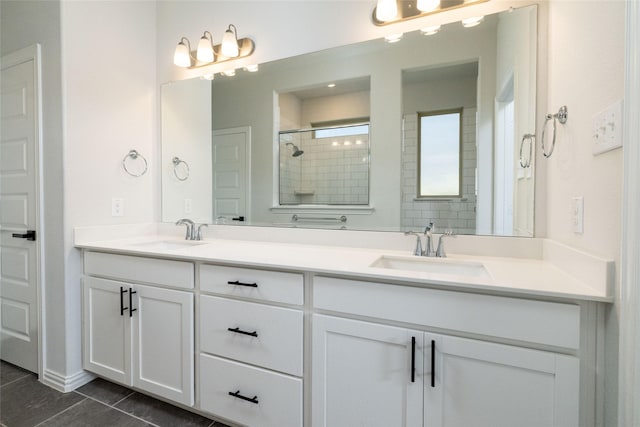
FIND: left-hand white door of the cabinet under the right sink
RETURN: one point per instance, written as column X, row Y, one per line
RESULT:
column 362, row 374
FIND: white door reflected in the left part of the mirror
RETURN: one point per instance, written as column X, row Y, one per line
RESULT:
column 231, row 174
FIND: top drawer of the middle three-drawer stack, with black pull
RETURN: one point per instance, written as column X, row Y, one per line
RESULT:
column 264, row 285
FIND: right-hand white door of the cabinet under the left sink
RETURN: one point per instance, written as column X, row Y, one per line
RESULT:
column 163, row 343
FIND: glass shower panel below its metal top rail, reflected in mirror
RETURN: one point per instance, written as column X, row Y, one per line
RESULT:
column 325, row 165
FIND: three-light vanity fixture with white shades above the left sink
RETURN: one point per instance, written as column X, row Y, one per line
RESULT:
column 207, row 53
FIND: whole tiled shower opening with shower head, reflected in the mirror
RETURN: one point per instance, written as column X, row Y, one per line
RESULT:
column 323, row 147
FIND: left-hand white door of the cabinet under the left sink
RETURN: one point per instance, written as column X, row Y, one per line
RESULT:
column 107, row 331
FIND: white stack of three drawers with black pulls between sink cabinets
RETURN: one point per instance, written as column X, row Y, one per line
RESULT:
column 251, row 345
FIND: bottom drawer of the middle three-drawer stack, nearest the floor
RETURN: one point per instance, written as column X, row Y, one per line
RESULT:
column 276, row 399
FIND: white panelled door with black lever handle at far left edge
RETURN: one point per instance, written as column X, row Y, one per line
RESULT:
column 19, row 208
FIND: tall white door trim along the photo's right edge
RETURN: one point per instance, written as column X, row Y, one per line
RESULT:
column 629, row 361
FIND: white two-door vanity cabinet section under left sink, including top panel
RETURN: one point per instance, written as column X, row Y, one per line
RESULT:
column 139, row 335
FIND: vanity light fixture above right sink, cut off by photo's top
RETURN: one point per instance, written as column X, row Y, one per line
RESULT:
column 391, row 11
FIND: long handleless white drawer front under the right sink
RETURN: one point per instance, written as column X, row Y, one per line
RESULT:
column 539, row 322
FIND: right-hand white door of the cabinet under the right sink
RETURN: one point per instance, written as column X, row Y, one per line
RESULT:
column 475, row 383
